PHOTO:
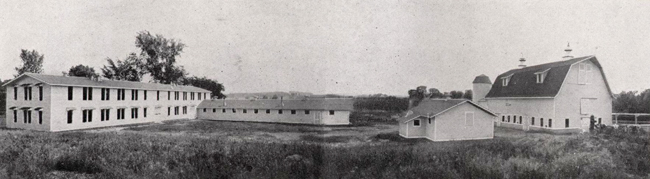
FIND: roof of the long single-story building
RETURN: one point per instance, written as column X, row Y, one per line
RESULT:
column 337, row 104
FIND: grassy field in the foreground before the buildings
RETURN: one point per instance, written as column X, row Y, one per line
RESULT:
column 211, row 149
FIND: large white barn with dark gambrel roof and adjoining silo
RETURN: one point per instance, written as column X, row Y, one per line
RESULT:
column 558, row 97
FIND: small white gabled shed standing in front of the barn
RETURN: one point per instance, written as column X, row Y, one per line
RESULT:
column 447, row 120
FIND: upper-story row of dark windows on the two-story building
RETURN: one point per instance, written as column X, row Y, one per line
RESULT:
column 87, row 94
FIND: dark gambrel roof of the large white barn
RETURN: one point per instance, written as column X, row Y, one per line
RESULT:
column 523, row 81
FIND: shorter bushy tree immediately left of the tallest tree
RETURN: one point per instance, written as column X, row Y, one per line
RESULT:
column 131, row 69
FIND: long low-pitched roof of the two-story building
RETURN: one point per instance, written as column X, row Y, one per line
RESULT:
column 55, row 80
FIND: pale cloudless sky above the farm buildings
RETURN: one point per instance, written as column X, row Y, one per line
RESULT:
column 341, row 47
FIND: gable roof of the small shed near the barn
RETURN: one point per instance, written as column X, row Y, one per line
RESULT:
column 434, row 107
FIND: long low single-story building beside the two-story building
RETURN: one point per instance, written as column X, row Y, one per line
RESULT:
column 317, row 111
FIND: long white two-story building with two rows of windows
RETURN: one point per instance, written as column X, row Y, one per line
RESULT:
column 59, row 103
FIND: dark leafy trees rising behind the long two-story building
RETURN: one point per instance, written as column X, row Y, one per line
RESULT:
column 157, row 57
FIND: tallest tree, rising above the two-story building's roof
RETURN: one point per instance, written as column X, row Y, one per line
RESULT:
column 160, row 55
